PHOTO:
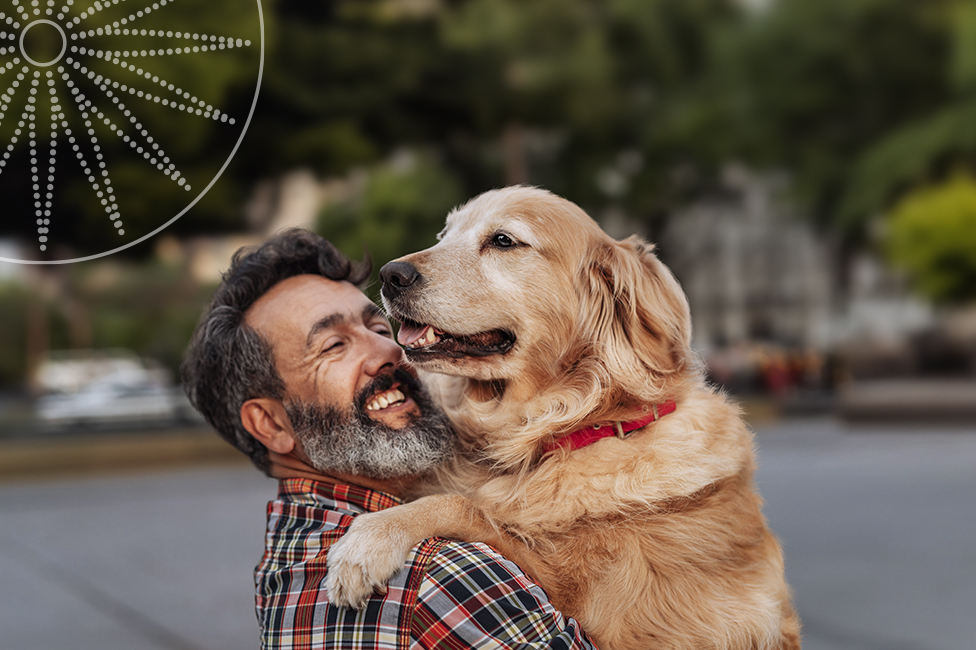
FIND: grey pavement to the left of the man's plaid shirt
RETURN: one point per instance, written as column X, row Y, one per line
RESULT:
column 150, row 562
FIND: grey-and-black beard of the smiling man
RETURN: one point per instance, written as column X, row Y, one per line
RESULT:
column 351, row 443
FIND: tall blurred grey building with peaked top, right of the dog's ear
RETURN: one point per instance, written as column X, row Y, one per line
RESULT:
column 751, row 268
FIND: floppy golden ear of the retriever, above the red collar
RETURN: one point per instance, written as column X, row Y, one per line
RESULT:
column 635, row 313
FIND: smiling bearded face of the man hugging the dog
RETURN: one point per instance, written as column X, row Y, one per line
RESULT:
column 354, row 404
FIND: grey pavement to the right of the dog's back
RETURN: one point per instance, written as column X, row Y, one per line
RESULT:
column 879, row 528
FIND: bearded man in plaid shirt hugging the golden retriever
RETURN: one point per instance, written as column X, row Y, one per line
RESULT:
column 294, row 366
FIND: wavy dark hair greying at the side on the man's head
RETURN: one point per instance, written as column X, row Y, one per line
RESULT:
column 228, row 362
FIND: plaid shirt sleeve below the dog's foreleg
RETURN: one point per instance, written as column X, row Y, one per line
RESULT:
column 472, row 597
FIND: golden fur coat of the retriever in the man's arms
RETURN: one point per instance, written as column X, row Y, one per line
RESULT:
column 656, row 541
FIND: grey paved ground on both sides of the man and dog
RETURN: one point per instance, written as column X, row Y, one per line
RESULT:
column 878, row 525
